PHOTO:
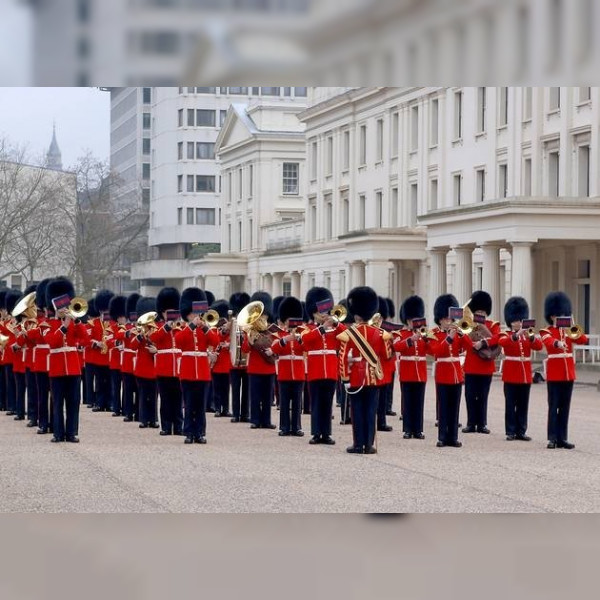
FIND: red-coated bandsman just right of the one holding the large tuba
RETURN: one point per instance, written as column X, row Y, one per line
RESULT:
column 290, row 367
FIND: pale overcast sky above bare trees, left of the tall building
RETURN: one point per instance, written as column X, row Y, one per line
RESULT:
column 82, row 118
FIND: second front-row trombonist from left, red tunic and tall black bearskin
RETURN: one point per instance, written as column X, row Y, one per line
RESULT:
column 193, row 340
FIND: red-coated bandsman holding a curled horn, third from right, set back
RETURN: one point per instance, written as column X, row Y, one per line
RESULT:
column 478, row 370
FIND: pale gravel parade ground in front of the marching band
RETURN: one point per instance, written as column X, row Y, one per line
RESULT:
column 120, row 468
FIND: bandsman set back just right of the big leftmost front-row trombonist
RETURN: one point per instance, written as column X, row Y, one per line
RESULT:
column 98, row 352
